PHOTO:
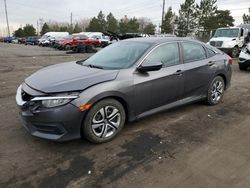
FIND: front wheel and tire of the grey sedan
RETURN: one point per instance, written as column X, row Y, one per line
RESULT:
column 104, row 121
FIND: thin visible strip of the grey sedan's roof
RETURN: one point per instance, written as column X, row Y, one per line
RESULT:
column 158, row 40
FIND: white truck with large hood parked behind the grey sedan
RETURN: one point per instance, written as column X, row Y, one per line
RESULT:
column 229, row 39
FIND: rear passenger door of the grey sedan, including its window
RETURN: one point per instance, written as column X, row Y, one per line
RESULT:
column 199, row 69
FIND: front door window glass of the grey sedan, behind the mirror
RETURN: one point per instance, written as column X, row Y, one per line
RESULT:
column 168, row 54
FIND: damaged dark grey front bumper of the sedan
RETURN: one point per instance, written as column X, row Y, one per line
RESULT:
column 59, row 123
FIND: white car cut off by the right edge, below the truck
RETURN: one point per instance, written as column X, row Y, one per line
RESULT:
column 244, row 58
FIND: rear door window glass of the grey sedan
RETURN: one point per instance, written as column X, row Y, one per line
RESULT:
column 193, row 52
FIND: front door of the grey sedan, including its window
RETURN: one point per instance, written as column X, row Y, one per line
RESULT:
column 157, row 88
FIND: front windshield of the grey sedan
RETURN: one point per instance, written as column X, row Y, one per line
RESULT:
column 118, row 56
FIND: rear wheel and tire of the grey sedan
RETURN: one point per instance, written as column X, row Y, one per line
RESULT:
column 216, row 91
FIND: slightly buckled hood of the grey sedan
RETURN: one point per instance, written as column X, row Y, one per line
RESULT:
column 68, row 77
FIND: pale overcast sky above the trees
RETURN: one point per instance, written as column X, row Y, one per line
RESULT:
column 22, row 12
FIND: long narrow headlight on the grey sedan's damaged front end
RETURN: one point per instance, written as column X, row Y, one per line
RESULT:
column 54, row 101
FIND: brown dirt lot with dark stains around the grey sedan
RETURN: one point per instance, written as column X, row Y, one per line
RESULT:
column 192, row 146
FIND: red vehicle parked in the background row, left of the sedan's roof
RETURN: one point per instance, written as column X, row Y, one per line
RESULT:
column 75, row 40
